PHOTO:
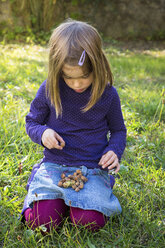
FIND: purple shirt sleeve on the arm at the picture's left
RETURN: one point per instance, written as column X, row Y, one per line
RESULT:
column 36, row 118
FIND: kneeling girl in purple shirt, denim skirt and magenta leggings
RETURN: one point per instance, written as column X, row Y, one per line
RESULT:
column 71, row 115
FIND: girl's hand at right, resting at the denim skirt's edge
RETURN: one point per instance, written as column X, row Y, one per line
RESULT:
column 110, row 160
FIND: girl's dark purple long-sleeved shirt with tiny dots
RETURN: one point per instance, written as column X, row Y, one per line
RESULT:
column 85, row 134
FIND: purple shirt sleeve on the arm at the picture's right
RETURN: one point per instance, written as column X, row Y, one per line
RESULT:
column 117, row 138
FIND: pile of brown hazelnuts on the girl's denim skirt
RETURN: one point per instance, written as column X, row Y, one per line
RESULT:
column 76, row 181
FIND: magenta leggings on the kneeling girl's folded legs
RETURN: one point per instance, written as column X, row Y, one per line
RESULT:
column 51, row 212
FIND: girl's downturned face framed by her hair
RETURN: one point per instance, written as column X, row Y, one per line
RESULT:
column 76, row 79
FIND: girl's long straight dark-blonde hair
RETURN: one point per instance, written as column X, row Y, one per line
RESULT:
column 66, row 45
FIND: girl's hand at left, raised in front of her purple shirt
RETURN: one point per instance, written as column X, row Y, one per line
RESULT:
column 51, row 139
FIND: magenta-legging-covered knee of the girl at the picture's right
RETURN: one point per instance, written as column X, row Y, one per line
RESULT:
column 93, row 220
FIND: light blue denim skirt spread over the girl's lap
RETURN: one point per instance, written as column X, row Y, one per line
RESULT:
column 96, row 194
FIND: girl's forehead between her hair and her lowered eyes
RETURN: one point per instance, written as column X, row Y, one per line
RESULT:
column 72, row 71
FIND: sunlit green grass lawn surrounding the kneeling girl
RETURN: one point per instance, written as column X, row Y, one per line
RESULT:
column 139, row 79
